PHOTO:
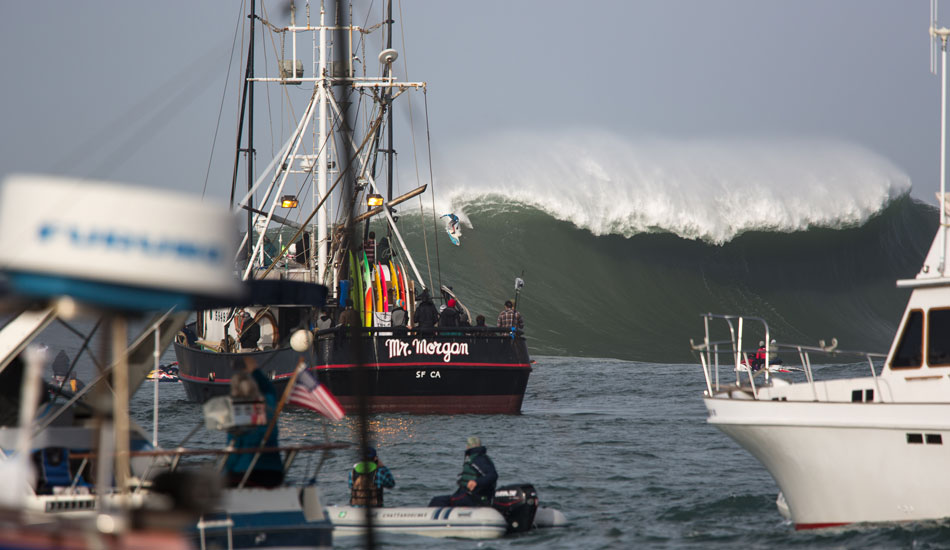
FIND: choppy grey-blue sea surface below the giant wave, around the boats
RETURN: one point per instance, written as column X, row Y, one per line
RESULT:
column 622, row 448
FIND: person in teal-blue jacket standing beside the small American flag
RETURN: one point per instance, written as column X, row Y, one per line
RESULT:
column 268, row 470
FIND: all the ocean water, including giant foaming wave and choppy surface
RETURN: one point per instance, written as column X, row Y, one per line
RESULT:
column 622, row 245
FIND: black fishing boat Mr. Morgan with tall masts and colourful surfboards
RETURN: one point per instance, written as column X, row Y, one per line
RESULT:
column 411, row 369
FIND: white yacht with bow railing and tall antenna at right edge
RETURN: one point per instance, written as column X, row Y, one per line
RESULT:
column 870, row 448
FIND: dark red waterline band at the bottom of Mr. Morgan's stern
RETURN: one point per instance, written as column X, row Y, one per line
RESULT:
column 442, row 404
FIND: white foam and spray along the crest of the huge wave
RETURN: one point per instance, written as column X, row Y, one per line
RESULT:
column 698, row 189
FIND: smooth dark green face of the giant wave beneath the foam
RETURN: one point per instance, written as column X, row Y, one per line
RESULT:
column 639, row 297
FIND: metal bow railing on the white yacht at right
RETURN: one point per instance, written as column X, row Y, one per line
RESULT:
column 743, row 359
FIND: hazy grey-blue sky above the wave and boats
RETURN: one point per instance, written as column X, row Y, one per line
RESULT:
column 131, row 91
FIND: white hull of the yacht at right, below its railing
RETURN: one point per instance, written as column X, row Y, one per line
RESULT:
column 840, row 463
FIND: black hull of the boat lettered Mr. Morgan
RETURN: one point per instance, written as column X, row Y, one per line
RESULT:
column 463, row 372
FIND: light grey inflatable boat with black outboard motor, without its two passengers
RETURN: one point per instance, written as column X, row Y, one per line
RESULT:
column 515, row 509
